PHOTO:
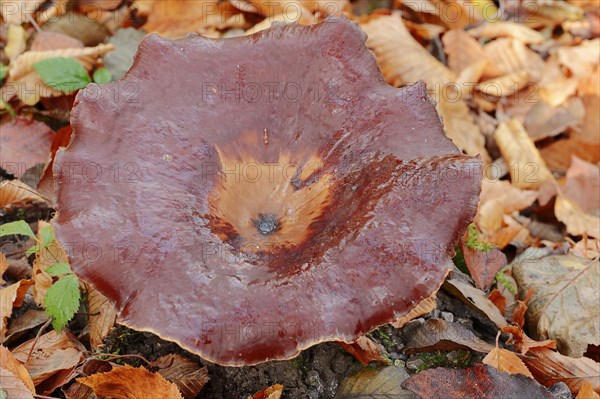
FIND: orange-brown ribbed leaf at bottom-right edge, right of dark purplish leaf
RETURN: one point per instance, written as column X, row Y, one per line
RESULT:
column 549, row 367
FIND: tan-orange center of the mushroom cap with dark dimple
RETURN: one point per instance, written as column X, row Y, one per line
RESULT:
column 264, row 207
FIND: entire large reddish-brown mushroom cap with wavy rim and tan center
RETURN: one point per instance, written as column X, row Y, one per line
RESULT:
column 250, row 197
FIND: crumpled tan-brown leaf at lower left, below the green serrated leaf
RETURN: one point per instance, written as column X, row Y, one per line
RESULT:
column 54, row 356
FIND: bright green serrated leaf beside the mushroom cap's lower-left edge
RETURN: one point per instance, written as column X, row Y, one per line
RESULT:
column 62, row 300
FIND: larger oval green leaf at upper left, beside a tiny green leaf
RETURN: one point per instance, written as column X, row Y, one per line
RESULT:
column 63, row 74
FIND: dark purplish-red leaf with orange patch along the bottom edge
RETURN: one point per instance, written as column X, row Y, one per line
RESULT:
column 478, row 382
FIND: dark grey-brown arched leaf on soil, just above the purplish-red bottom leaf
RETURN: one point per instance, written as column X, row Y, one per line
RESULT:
column 437, row 334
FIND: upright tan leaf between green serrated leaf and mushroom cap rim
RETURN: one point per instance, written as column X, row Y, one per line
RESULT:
column 102, row 316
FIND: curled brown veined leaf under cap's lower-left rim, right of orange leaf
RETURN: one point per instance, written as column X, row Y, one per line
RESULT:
column 189, row 376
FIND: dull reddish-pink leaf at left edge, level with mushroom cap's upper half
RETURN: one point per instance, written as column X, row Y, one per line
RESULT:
column 24, row 143
